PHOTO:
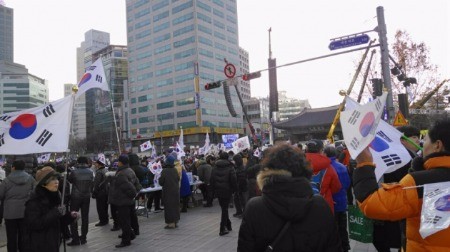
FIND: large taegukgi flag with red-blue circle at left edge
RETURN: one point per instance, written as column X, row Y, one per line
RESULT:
column 37, row 130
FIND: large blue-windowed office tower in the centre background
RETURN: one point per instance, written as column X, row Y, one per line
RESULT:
column 175, row 48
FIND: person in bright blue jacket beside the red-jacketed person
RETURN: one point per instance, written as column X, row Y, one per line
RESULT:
column 340, row 198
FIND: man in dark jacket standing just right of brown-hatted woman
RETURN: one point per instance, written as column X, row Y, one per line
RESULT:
column 82, row 180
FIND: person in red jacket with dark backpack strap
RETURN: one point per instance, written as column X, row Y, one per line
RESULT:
column 330, row 182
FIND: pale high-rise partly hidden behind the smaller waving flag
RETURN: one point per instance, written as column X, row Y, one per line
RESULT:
column 93, row 41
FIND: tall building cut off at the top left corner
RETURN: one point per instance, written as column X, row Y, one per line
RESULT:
column 7, row 33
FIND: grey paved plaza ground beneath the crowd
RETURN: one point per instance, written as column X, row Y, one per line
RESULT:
column 198, row 231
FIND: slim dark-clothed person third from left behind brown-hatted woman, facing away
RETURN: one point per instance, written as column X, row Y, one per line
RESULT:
column 100, row 193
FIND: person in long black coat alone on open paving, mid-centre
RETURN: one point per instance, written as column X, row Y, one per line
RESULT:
column 224, row 184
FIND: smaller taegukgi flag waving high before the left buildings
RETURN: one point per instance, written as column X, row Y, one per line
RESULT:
column 94, row 77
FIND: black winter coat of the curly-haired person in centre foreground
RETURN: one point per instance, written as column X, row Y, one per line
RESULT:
column 283, row 199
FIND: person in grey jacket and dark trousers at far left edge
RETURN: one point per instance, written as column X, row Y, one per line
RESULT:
column 14, row 192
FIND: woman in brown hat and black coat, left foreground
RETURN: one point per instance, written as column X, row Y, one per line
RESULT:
column 44, row 214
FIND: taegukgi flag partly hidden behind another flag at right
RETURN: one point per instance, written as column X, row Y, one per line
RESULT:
column 388, row 152
